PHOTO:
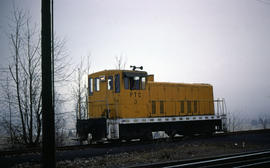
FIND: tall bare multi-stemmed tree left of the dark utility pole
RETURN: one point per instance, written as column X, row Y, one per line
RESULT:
column 25, row 72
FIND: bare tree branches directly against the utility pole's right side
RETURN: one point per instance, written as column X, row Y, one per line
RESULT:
column 62, row 76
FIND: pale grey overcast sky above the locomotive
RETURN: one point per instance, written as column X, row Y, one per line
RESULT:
column 222, row 42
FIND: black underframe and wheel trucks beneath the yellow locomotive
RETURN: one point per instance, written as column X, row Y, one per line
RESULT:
column 98, row 128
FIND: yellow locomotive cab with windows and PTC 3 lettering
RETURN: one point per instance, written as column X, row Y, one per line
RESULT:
column 116, row 94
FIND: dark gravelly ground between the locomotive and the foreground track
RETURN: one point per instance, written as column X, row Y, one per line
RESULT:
column 188, row 148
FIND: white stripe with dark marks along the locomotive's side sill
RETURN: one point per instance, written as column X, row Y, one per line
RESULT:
column 167, row 119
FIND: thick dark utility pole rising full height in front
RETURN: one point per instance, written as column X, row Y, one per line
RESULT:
column 48, row 125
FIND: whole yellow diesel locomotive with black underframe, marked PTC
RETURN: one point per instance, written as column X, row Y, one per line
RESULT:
column 129, row 104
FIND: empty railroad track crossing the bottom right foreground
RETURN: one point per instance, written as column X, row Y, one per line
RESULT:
column 240, row 160
